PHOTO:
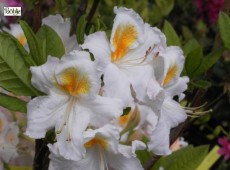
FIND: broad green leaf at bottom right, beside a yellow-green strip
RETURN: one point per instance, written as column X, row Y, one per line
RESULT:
column 188, row 158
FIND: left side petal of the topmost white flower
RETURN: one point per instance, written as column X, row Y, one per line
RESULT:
column 98, row 44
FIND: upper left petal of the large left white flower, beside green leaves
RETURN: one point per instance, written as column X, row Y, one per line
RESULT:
column 42, row 76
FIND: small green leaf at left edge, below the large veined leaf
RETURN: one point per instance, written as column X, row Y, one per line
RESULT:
column 12, row 103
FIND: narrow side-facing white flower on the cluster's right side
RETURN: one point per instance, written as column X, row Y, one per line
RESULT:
column 168, row 67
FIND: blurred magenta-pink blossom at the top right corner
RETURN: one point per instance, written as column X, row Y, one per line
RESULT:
column 209, row 9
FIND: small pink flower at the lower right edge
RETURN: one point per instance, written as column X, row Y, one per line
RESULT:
column 225, row 149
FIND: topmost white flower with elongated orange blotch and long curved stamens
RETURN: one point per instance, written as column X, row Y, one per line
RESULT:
column 126, row 58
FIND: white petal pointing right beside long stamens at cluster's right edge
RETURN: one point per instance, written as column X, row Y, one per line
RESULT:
column 172, row 113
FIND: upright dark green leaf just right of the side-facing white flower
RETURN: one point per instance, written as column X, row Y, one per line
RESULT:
column 193, row 61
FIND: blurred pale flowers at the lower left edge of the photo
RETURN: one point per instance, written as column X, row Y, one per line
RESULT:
column 8, row 140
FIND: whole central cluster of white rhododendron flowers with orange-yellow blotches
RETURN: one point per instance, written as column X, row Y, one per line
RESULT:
column 103, row 110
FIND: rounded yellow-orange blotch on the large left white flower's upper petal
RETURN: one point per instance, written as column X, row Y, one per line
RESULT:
column 73, row 82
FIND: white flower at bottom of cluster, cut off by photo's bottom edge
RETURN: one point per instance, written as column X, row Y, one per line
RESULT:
column 103, row 152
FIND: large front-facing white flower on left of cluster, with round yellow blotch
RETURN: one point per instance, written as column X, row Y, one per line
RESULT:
column 72, row 102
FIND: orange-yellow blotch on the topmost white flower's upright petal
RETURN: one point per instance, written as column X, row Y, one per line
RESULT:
column 124, row 37
